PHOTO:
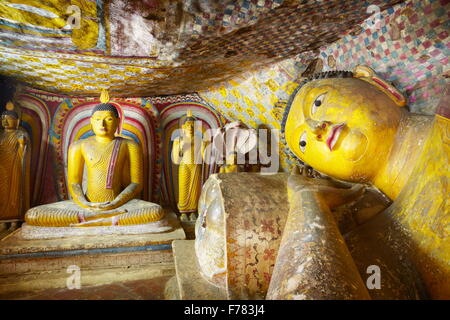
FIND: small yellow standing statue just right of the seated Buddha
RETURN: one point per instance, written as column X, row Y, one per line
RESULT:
column 188, row 153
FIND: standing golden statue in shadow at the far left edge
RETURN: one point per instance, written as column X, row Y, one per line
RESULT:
column 14, row 167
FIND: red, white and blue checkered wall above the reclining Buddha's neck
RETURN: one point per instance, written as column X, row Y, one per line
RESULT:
column 415, row 59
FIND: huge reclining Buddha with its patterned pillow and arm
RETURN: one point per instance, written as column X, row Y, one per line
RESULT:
column 276, row 237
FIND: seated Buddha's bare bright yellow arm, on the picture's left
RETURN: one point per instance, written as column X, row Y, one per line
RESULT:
column 75, row 175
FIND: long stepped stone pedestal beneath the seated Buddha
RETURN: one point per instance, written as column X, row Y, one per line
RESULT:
column 38, row 264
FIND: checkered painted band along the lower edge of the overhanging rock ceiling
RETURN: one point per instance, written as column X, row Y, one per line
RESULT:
column 243, row 35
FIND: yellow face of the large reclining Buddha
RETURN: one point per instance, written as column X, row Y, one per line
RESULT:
column 343, row 127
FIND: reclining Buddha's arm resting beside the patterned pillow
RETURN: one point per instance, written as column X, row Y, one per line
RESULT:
column 312, row 246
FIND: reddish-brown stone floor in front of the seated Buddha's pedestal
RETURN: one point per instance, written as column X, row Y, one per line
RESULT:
column 151, row 289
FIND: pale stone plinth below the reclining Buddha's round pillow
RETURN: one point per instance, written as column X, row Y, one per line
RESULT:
column 191, row 284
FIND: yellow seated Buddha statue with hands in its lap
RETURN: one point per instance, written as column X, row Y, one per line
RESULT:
column 114, row 180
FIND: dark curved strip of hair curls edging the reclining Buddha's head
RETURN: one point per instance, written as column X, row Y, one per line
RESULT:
column 317, row 76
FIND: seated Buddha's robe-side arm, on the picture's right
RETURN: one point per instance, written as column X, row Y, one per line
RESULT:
column 133, row 190
